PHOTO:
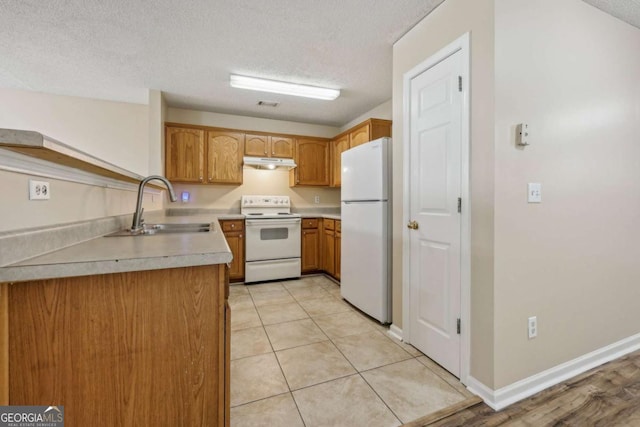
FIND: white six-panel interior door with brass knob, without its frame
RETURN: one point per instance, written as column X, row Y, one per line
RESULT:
column 434, row 188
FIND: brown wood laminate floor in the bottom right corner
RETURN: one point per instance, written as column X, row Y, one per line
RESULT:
column 606, row 396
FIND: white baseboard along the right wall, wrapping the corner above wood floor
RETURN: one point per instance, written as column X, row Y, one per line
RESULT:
column 505, row 396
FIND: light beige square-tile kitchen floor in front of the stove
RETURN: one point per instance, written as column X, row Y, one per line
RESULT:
column 302, row 356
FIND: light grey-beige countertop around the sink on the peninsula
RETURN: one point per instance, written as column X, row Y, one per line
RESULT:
column 102, row 255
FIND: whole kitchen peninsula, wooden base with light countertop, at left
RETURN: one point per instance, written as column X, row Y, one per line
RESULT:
column 121, row 330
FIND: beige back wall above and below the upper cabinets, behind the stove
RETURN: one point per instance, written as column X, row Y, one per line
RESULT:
column 258, row 182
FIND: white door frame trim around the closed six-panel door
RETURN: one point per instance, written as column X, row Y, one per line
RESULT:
column 460, row 44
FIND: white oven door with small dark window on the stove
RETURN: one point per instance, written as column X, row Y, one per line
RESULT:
column 272, row 239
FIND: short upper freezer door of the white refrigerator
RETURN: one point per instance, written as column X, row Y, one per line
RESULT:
column 365, row 171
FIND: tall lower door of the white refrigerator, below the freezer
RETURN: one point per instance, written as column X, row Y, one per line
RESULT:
column 364, row 276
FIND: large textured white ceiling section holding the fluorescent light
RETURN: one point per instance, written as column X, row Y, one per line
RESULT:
column 116, row 50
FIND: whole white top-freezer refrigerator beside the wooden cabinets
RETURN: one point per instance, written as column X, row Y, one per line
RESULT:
column 365, row 276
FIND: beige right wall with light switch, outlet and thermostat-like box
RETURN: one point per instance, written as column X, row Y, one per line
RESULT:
column 573, row 73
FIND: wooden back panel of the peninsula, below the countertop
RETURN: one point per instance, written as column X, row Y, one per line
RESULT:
column 124, row 349
